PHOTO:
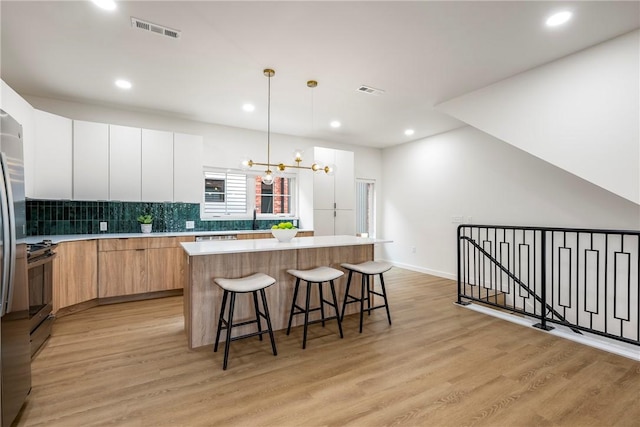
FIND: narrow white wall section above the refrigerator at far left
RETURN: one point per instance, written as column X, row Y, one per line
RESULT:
column 22, row 111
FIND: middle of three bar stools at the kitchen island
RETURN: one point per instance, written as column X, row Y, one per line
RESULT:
column 317, row 276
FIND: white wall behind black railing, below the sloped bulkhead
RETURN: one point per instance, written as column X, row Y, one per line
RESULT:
column 468, row 173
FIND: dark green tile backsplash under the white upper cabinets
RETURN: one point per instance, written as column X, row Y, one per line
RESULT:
column 55, row 217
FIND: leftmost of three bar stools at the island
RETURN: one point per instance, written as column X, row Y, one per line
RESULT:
column 254, row 283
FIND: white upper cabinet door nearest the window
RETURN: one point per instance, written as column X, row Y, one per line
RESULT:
column 188, row 178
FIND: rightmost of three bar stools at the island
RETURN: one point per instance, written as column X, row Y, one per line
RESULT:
column 366, row 269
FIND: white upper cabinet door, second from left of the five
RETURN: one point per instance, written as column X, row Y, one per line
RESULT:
column 90, row 161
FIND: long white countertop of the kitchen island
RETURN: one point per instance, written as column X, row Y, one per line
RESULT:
column 217, row 247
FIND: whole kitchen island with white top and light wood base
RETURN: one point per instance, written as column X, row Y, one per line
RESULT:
column 238, row 258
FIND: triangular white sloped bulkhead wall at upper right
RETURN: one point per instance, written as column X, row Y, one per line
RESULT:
column 581, row 113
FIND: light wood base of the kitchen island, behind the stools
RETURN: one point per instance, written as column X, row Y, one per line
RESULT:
column 202, row 297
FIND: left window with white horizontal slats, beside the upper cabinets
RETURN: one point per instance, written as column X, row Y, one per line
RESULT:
column 224, row 194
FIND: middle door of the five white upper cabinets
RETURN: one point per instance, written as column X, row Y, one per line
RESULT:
column 125, row 163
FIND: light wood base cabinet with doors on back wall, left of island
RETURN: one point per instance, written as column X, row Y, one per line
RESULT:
column 140, row 265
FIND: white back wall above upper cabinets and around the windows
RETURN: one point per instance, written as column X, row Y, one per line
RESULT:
column 223, row 146
